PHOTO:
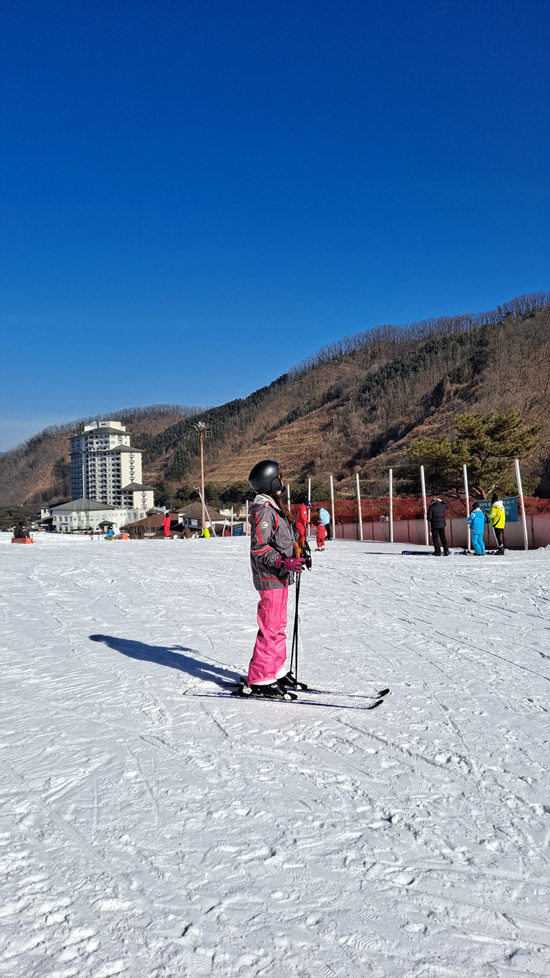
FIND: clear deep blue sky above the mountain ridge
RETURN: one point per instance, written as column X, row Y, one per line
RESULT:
column 197, row 194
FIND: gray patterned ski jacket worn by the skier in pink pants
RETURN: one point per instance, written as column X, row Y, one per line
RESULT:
column 270, row 535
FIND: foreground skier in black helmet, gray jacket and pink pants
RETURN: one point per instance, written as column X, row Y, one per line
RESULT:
column 272, row 538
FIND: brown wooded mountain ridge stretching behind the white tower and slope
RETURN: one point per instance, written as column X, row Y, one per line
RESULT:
column 352, row 407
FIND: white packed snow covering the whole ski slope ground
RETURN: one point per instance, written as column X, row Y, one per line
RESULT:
column 152, row 825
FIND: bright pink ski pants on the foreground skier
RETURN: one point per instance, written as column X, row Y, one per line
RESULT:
column 269, row 655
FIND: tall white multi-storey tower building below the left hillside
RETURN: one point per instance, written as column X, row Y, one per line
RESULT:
column 105, row 468
